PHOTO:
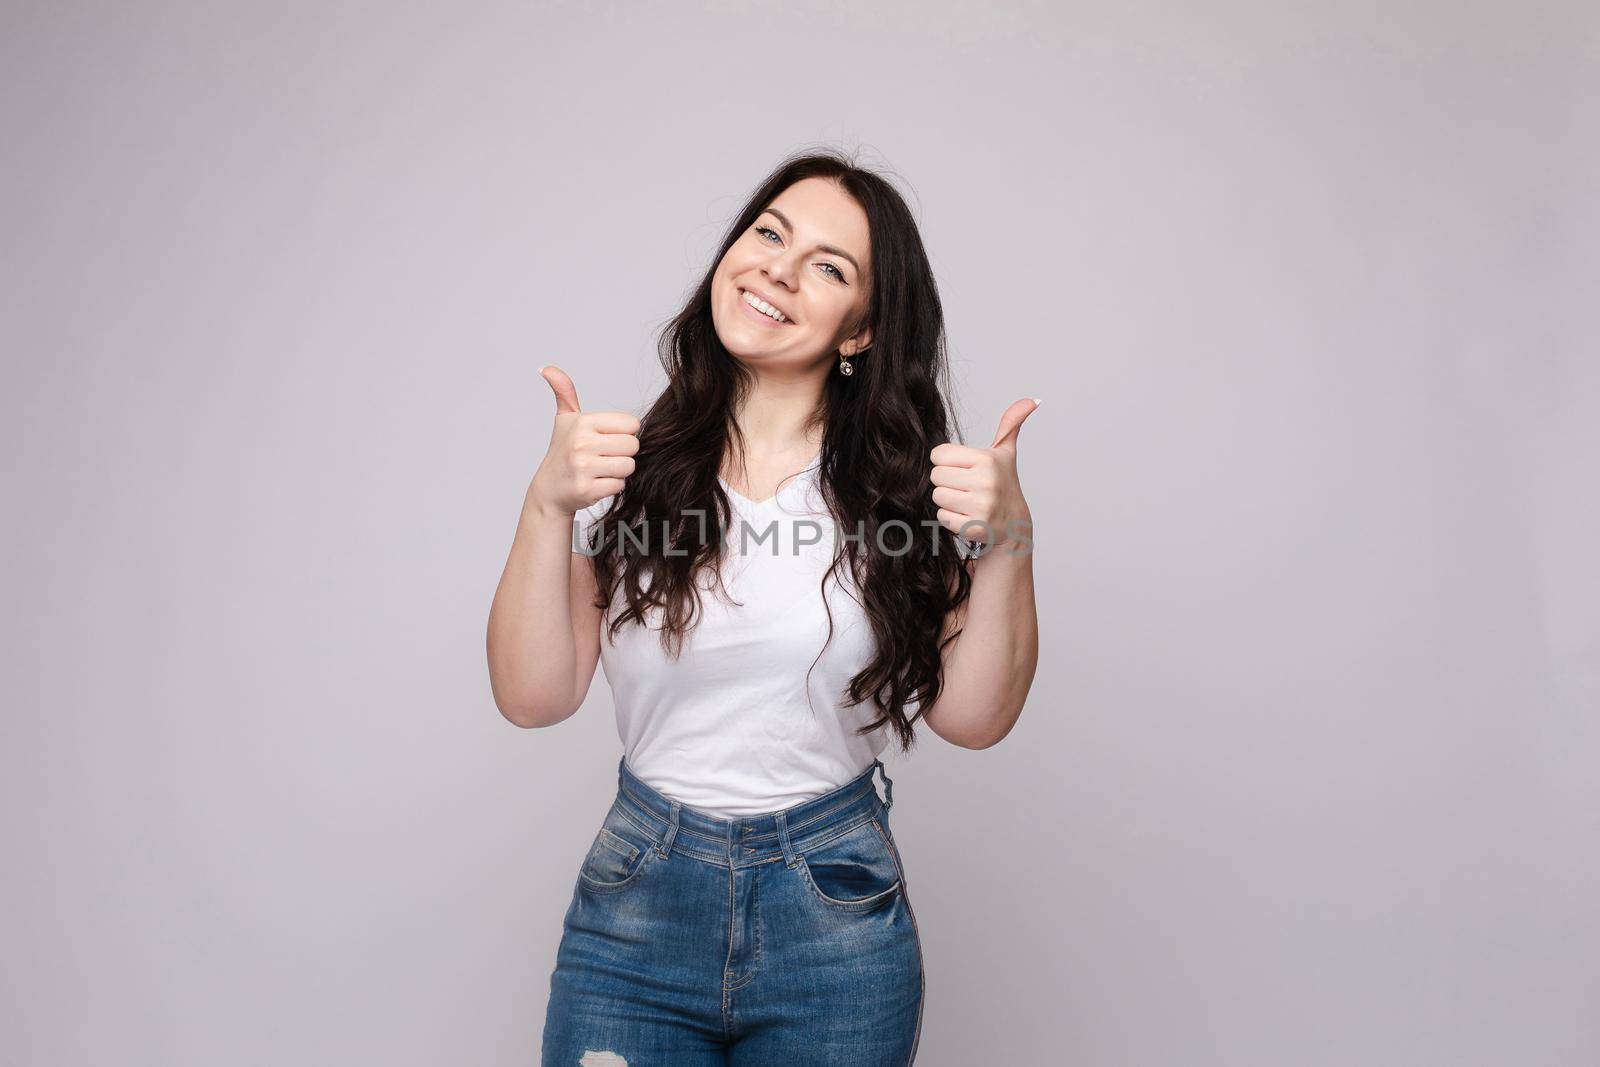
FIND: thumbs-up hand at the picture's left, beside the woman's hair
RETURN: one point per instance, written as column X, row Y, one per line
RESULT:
column 590, row 458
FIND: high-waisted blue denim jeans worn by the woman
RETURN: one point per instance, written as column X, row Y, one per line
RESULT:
column 775, row 940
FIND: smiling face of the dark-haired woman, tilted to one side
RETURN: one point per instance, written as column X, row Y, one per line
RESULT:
column 807, row 257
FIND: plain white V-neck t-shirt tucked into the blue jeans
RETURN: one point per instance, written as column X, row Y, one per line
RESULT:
column 727, row 727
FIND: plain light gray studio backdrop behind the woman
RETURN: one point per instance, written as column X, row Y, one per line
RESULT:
column 1310, row 769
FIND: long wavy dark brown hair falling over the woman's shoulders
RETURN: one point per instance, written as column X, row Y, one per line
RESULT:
column 879, row 426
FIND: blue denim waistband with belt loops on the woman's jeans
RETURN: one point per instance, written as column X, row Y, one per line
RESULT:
column 753, row 839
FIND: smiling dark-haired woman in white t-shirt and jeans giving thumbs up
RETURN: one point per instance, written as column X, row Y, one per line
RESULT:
column 769, row 565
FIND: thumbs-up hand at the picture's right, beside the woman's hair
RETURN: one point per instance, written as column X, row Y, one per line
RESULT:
column 977, row 489
